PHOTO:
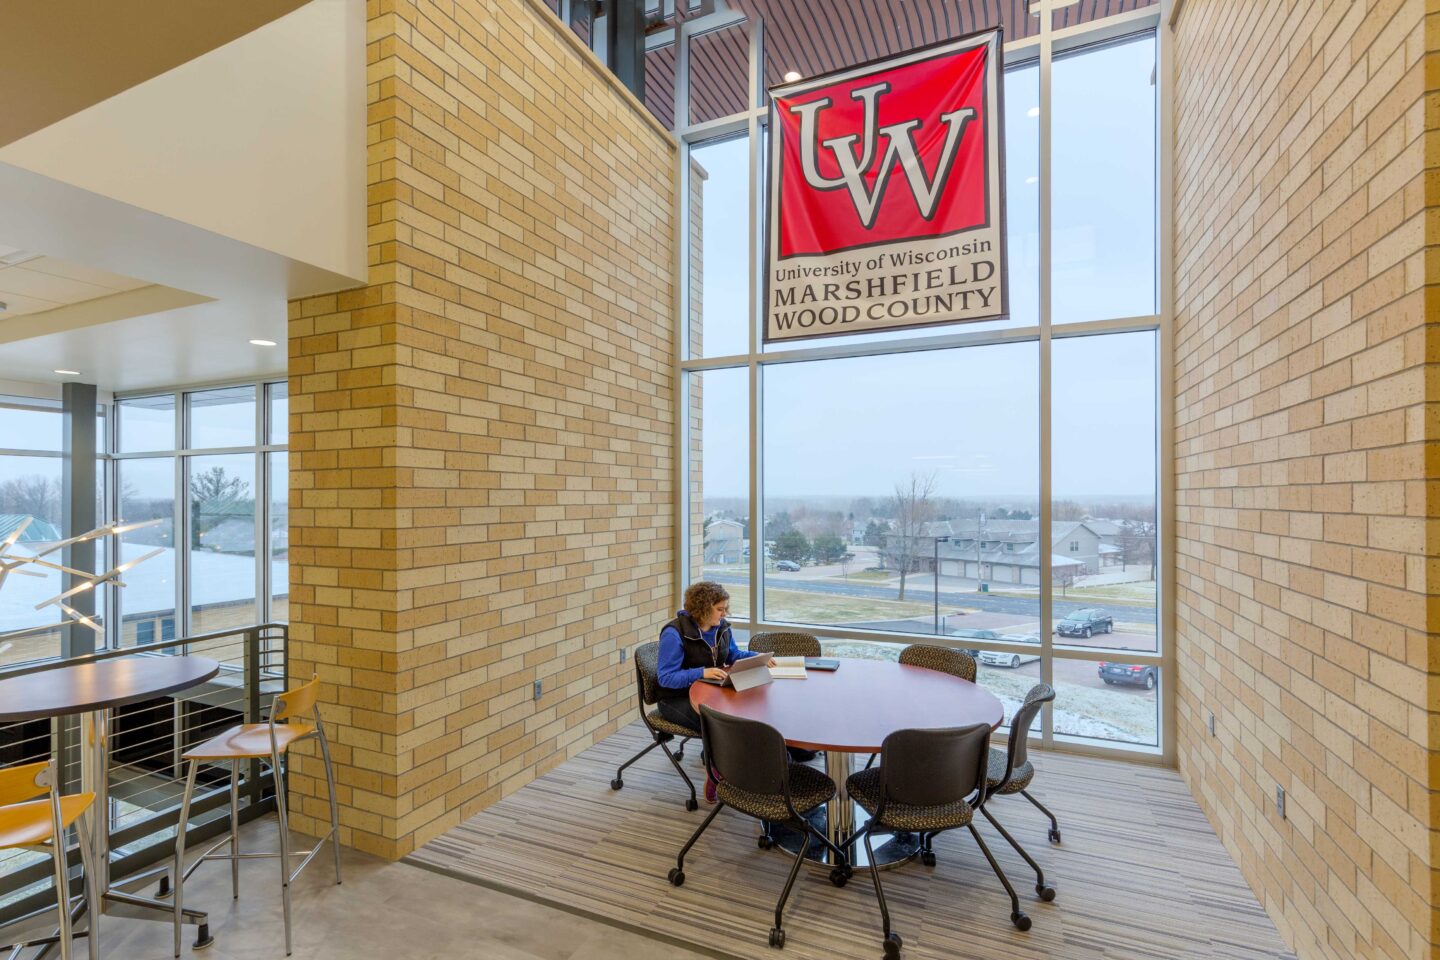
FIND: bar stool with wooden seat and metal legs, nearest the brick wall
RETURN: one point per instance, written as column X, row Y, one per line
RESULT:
column 260, row 742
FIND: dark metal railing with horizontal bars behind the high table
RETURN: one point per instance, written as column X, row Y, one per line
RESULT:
column 146, row 774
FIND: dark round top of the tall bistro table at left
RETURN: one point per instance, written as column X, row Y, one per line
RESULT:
column 86, row 687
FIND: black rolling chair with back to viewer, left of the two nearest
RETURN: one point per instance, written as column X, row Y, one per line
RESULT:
column 758, row 779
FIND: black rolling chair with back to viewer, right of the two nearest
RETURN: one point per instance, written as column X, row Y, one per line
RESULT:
column 928, row 782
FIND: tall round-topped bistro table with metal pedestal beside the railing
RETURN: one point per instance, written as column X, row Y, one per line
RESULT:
column 93, row 690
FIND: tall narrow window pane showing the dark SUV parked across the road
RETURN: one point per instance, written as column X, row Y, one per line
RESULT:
column 1105, row 471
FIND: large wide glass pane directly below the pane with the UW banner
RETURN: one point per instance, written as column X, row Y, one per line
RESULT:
column 928, row 463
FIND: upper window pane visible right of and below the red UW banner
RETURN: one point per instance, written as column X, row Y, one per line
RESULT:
column 1022, row 222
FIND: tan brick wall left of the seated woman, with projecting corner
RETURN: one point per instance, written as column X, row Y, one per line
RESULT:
column 482, row 441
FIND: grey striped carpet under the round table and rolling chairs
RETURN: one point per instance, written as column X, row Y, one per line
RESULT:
column 1140, row 874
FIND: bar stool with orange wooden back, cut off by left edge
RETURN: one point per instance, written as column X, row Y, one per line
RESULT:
column 40, row 827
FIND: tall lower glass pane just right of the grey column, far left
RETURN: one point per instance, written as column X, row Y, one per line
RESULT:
column 148, row 605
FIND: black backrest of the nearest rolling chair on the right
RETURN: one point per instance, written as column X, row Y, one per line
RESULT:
column 930, row 768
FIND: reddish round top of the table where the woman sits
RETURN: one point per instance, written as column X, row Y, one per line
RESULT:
column 855, row 709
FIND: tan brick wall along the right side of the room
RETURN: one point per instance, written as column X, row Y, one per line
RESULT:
column 1304, row 460
